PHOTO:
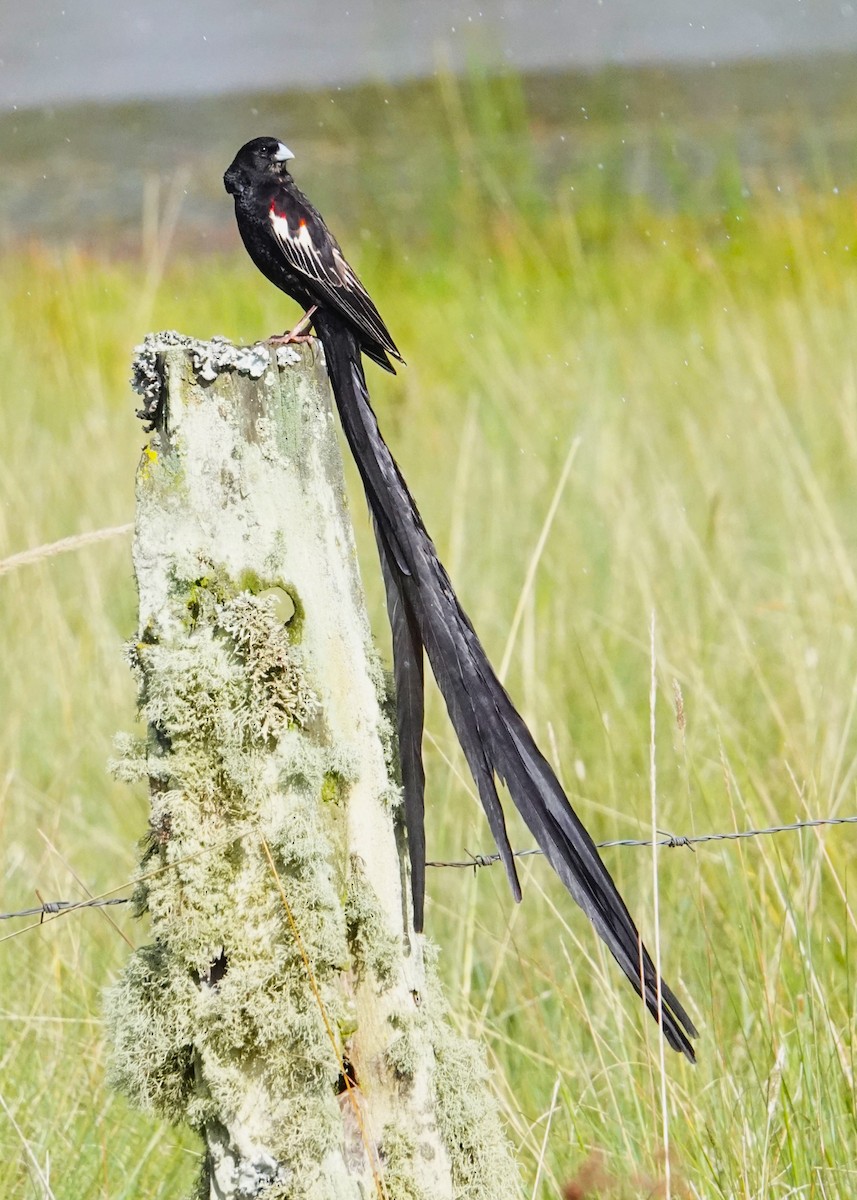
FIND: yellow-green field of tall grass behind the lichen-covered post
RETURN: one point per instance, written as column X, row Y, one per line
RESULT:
column 702, row 375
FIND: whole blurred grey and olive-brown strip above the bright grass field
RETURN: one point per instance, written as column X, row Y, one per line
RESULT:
column 667, row 101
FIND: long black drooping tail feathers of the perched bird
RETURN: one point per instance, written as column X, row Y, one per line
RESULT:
column 425, row 613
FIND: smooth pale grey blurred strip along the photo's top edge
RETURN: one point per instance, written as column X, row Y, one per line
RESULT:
column 68, row 51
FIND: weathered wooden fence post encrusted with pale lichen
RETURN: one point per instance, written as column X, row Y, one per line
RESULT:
column 284, row 1007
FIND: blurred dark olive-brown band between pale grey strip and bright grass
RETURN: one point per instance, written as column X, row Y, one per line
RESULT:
column 394, row 164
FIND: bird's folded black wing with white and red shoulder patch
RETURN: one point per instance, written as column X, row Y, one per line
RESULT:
column 311, row 251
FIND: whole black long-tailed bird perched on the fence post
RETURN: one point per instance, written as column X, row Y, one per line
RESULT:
column 290, row 243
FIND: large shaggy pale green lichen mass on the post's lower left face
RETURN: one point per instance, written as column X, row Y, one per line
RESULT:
column 225, row 994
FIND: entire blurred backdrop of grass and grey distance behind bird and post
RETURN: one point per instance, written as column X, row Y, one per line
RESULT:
column 616, row 245
